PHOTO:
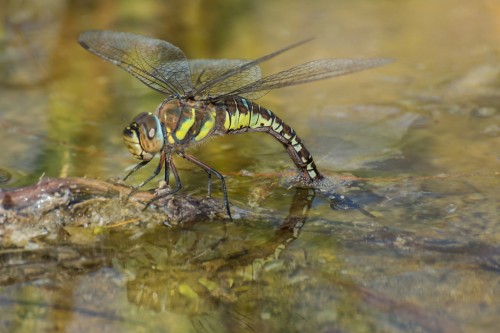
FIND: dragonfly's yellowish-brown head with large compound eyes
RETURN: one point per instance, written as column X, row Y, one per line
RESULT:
column 144, row 136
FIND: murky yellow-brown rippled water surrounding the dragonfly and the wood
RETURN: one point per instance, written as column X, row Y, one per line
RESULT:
column 415, row 143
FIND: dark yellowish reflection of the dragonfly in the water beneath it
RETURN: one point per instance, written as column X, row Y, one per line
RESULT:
column 191, row 272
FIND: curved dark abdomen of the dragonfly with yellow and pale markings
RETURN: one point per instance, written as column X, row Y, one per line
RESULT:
column 245, row 116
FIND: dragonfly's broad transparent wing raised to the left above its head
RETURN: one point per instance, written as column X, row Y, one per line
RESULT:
column 158, row 64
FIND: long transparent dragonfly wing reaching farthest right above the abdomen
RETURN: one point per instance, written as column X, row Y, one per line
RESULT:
column 310, row 71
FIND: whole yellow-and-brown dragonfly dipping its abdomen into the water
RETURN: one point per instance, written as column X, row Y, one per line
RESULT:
column 207, row 98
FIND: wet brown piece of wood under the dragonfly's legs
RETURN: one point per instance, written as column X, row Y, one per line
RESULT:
column 52, row 204
